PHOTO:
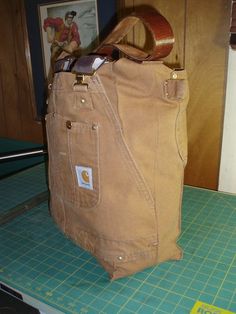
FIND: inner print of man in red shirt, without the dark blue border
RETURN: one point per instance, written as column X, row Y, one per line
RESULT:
column 67, row 26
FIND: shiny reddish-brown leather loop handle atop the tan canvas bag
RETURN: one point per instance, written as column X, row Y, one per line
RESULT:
column 158, row 27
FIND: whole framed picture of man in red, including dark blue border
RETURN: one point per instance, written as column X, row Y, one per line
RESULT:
column 93, row 20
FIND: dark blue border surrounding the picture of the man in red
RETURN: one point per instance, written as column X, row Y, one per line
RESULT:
column 106, row 20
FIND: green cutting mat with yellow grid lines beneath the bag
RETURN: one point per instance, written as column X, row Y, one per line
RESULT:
column 38, row 260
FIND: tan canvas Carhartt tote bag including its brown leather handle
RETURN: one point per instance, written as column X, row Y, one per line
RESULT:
column 117, row 150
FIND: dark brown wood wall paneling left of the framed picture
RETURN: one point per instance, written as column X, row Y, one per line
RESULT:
column 17, row 114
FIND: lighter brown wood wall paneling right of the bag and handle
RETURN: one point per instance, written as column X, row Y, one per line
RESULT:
column 201, row 31
